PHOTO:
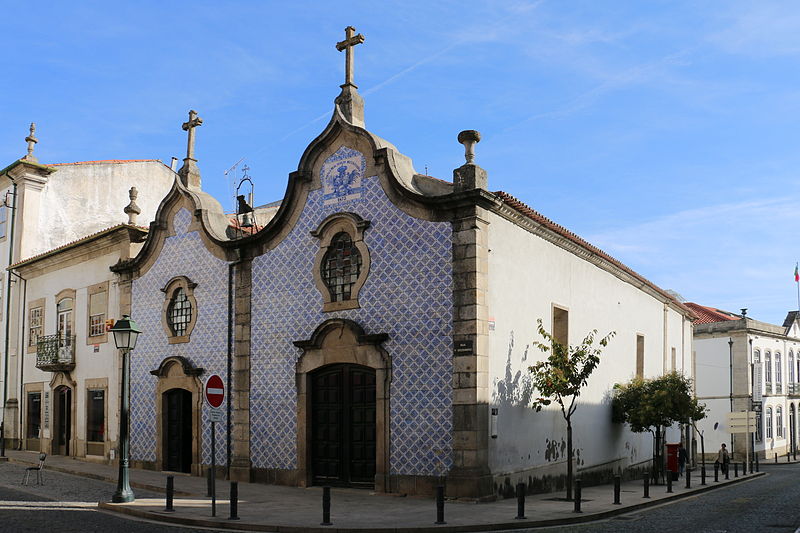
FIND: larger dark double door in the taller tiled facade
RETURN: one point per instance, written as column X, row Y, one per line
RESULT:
column 343, row 425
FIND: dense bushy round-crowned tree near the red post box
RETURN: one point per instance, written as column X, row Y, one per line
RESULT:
column 655, row 404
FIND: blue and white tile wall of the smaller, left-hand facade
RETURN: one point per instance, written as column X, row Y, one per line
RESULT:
column 182, row 255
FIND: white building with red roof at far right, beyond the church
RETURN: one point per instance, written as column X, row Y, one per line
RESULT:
column 738, row 360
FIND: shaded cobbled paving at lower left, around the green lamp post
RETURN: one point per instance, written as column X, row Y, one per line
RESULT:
column 64, row 503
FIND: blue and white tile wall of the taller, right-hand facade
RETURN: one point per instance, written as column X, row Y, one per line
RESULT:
column 408, row 295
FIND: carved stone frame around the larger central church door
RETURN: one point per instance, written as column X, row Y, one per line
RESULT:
column 341, row 341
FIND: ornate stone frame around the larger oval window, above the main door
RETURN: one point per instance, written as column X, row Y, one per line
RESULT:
column 354, row 226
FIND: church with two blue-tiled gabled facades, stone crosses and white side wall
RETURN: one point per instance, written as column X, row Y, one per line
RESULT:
column 377, row 328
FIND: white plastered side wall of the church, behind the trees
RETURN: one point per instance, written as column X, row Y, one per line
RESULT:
column 527, row 276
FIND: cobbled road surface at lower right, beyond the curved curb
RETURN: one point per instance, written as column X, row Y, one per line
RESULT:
column 763, row 505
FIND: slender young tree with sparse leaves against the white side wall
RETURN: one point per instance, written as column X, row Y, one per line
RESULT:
column 562, row 375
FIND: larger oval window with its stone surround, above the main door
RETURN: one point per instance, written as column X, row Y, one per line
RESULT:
column 342, row 263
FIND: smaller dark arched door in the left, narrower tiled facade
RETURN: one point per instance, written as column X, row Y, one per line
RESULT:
column 177, row 412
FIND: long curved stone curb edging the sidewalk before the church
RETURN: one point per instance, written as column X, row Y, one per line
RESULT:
column 516, row 524
